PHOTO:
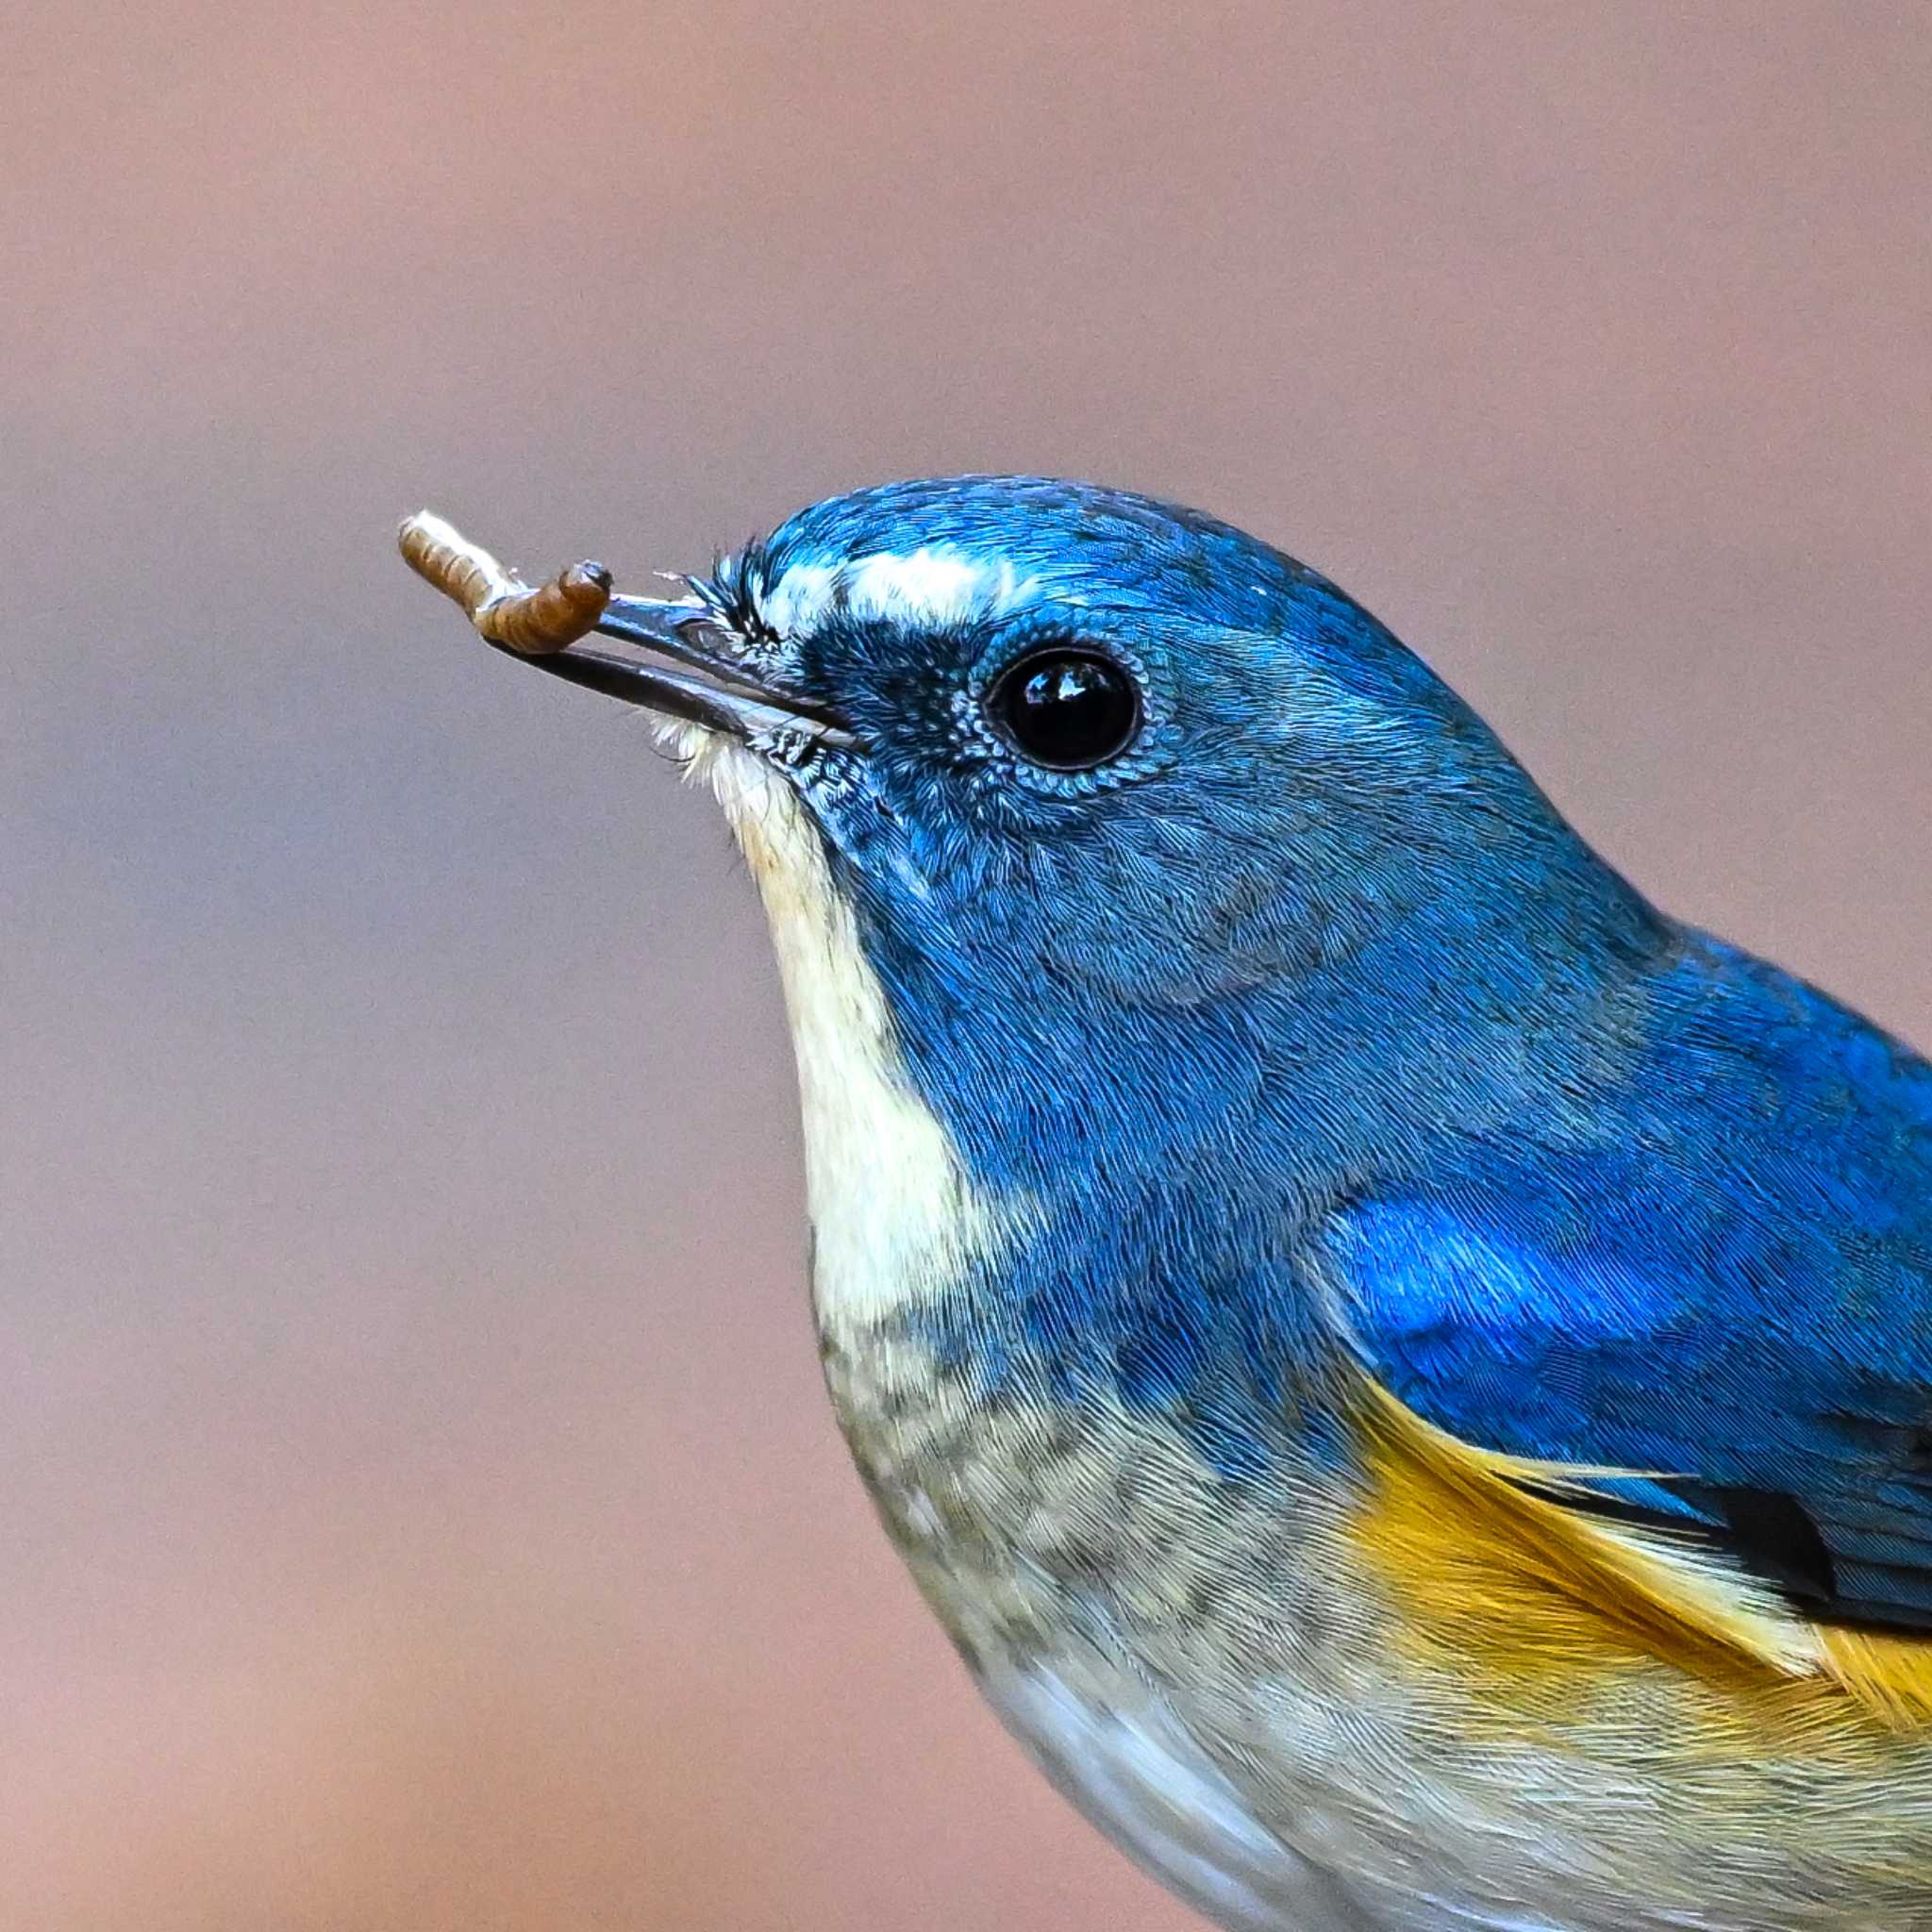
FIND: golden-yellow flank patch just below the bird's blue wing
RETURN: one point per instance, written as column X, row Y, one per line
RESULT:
column 1533, row 1589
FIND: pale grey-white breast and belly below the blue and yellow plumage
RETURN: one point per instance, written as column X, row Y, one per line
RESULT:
column 1210, row 1684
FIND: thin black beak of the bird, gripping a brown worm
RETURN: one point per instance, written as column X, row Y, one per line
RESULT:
column 712, row 691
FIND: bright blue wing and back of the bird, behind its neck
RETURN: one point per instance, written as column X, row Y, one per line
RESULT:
column 1720, row 1286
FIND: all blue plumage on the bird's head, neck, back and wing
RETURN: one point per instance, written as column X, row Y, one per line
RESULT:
column 1322, row 984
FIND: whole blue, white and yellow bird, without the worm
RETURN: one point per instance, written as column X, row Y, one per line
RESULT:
column 1404, row 1369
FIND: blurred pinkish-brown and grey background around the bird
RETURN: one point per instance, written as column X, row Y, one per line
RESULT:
column 416, row 1500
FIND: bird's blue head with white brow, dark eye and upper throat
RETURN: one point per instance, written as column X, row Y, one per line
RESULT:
column 1098, row 826
